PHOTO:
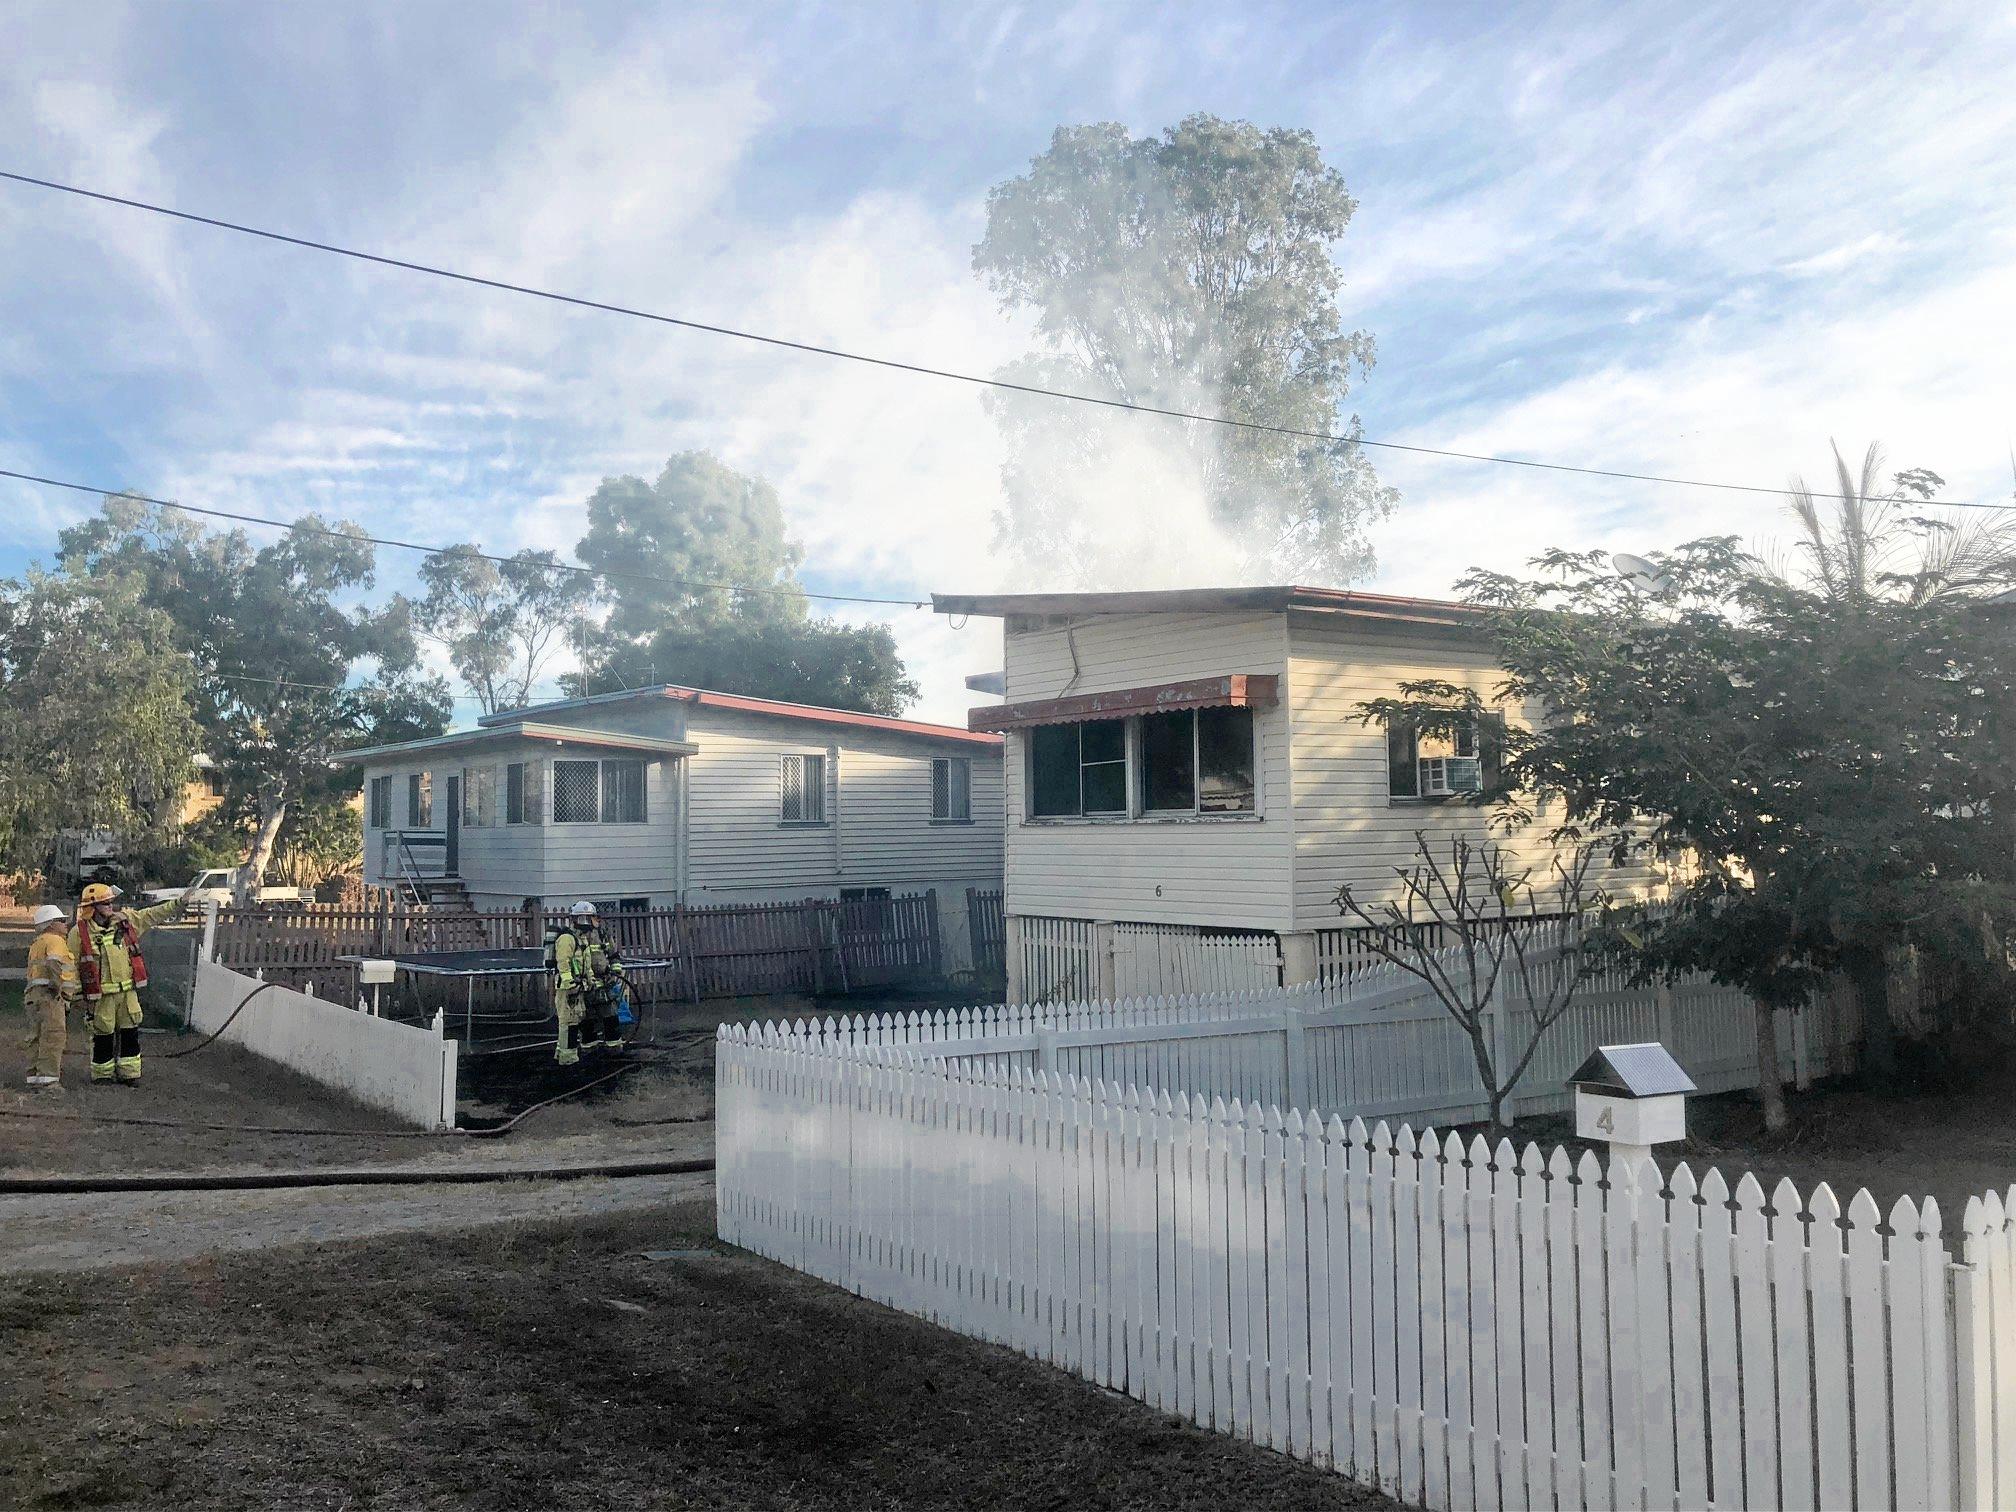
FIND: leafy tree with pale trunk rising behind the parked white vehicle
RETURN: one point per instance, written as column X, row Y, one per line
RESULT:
column 275, row 648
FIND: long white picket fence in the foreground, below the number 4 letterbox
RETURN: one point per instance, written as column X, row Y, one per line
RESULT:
column 1459, row 1328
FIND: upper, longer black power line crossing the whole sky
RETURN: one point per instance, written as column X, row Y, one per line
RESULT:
column 922, row 370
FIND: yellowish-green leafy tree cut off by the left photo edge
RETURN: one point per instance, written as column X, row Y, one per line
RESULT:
column 96, row 721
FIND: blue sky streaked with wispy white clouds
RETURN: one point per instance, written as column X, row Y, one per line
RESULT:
column 1700, row 241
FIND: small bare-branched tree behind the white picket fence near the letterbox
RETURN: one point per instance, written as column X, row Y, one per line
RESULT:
column 1483, row 930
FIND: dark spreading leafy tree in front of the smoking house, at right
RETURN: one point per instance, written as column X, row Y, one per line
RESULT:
column 1830, row 777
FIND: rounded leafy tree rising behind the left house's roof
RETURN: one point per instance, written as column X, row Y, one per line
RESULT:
column 735, row 618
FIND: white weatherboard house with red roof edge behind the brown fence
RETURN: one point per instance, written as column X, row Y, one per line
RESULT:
column 680, row 795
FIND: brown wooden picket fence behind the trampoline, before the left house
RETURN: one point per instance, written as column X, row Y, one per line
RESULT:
column 713, row 953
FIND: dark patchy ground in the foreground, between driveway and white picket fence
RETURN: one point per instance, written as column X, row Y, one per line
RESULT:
column 557, row 1368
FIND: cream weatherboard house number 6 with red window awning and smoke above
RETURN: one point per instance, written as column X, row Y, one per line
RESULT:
column 1188, row 781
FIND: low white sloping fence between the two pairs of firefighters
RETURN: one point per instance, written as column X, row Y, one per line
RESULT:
column 404, row 1069
